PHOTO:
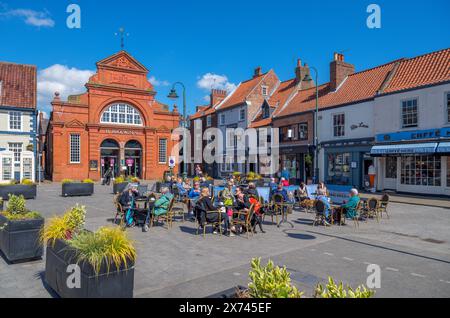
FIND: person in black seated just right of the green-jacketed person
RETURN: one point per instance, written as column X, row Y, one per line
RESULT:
column 204, row 205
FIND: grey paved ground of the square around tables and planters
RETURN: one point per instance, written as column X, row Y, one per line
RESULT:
column 412, row 248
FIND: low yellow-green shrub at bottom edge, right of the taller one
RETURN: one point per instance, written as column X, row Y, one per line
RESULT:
column 331, row 290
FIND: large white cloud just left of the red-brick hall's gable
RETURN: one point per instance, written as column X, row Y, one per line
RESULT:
column 60, row 78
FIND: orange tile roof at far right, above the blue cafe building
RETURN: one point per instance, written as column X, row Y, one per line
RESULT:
column 420, row 71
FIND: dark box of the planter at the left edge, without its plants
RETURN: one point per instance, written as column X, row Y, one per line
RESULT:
column 19, row 240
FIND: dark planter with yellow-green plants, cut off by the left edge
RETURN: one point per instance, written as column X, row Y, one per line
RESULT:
column 19, row 231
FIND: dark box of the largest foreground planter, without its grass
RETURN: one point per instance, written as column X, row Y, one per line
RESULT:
column 115, row 284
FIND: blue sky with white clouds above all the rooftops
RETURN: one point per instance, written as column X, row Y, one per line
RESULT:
column 184, row 40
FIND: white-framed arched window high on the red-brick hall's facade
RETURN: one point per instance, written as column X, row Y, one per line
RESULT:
column 121, row 114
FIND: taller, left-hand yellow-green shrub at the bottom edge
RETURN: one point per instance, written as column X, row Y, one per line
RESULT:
column 270, row 281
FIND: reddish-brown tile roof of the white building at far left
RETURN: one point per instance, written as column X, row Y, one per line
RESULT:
column 18, row 85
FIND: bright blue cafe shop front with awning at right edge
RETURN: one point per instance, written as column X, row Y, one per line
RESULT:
column 414, row 161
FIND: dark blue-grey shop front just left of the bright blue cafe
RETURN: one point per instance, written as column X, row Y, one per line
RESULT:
column 348, row 163
